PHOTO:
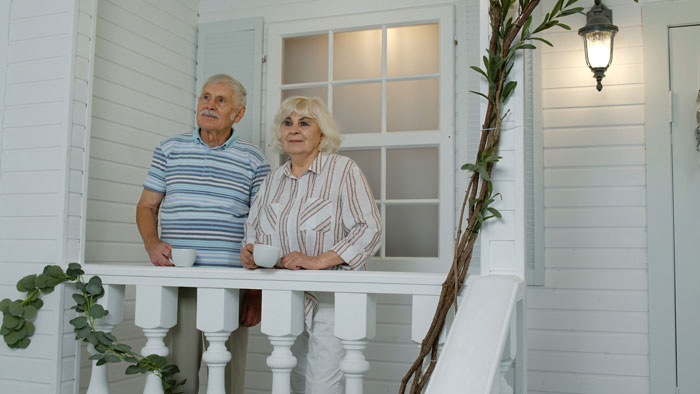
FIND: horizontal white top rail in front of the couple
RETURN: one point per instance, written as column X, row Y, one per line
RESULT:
column 375, row 282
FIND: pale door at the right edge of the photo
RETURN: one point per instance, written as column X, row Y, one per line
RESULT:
column 684, row 47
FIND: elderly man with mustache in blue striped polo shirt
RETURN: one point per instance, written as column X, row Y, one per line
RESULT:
column 202, row 184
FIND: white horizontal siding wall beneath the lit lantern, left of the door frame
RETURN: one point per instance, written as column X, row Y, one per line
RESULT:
column 588, row 326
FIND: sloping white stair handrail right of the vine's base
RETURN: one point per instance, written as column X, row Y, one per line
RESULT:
column 472, row 354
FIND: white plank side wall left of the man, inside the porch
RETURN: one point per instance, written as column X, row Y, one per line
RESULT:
column 144, row 82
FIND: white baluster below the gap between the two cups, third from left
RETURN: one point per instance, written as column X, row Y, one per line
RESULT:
column 217, row 317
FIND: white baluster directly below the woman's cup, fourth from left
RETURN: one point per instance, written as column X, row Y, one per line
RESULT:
column 282, row 322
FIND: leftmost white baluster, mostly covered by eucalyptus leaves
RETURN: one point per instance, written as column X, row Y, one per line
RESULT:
column 113, row 301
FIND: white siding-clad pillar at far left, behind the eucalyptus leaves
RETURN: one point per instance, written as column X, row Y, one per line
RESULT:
column 46, row 102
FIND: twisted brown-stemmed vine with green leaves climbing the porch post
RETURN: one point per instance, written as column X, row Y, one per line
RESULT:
column 511, row 32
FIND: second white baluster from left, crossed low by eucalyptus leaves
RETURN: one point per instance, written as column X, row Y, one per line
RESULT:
column 156, row 312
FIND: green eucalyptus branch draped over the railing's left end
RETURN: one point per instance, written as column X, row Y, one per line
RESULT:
column 19, row 315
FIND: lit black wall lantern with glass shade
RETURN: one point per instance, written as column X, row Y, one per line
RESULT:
column 598, row 35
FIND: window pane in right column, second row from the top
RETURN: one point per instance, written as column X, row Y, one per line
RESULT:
column 412, row 105
